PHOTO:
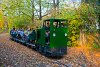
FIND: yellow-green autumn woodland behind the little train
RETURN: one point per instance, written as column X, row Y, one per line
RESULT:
column 83, row 17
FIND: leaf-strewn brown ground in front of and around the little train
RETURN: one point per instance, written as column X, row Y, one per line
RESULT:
column 13, row 54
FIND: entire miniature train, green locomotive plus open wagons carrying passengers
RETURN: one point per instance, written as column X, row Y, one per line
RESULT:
column 51, row 39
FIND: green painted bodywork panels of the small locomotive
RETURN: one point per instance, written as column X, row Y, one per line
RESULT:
column 58, row 36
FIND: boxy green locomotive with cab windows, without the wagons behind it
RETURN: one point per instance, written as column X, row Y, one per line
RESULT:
column 52, row 37
